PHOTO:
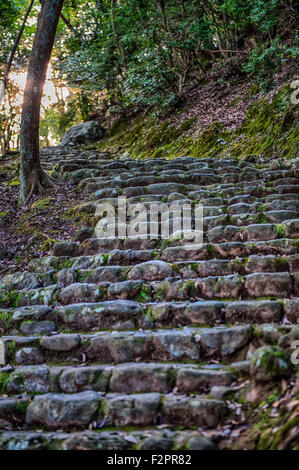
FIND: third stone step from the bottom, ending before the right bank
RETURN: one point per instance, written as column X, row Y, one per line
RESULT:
column 125, row 378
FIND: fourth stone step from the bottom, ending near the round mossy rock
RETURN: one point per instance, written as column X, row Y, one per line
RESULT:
column 185, row 344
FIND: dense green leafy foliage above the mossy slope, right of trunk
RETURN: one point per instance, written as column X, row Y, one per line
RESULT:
column 144, row 53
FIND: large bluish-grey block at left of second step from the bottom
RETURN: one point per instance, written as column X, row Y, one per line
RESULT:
column 61, row 410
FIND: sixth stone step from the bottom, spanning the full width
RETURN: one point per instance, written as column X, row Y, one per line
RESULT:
column 234, row 286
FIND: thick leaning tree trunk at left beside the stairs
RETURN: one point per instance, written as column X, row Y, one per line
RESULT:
column 33, row 178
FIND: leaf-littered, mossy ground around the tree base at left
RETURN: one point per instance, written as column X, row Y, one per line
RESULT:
column 31, row 230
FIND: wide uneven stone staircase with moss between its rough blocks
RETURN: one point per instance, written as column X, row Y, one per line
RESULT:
column 142, row 343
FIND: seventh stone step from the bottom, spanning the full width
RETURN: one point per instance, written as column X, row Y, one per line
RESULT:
column 149, row 271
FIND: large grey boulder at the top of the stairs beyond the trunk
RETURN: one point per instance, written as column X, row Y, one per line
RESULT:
column 83, row 133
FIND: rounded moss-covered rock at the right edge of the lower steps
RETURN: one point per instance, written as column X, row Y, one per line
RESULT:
column 269, row 363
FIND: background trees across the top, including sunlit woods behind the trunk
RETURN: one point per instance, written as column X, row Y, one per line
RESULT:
column 119, row 55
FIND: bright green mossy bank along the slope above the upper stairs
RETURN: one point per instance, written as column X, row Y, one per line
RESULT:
column 270, row 127
